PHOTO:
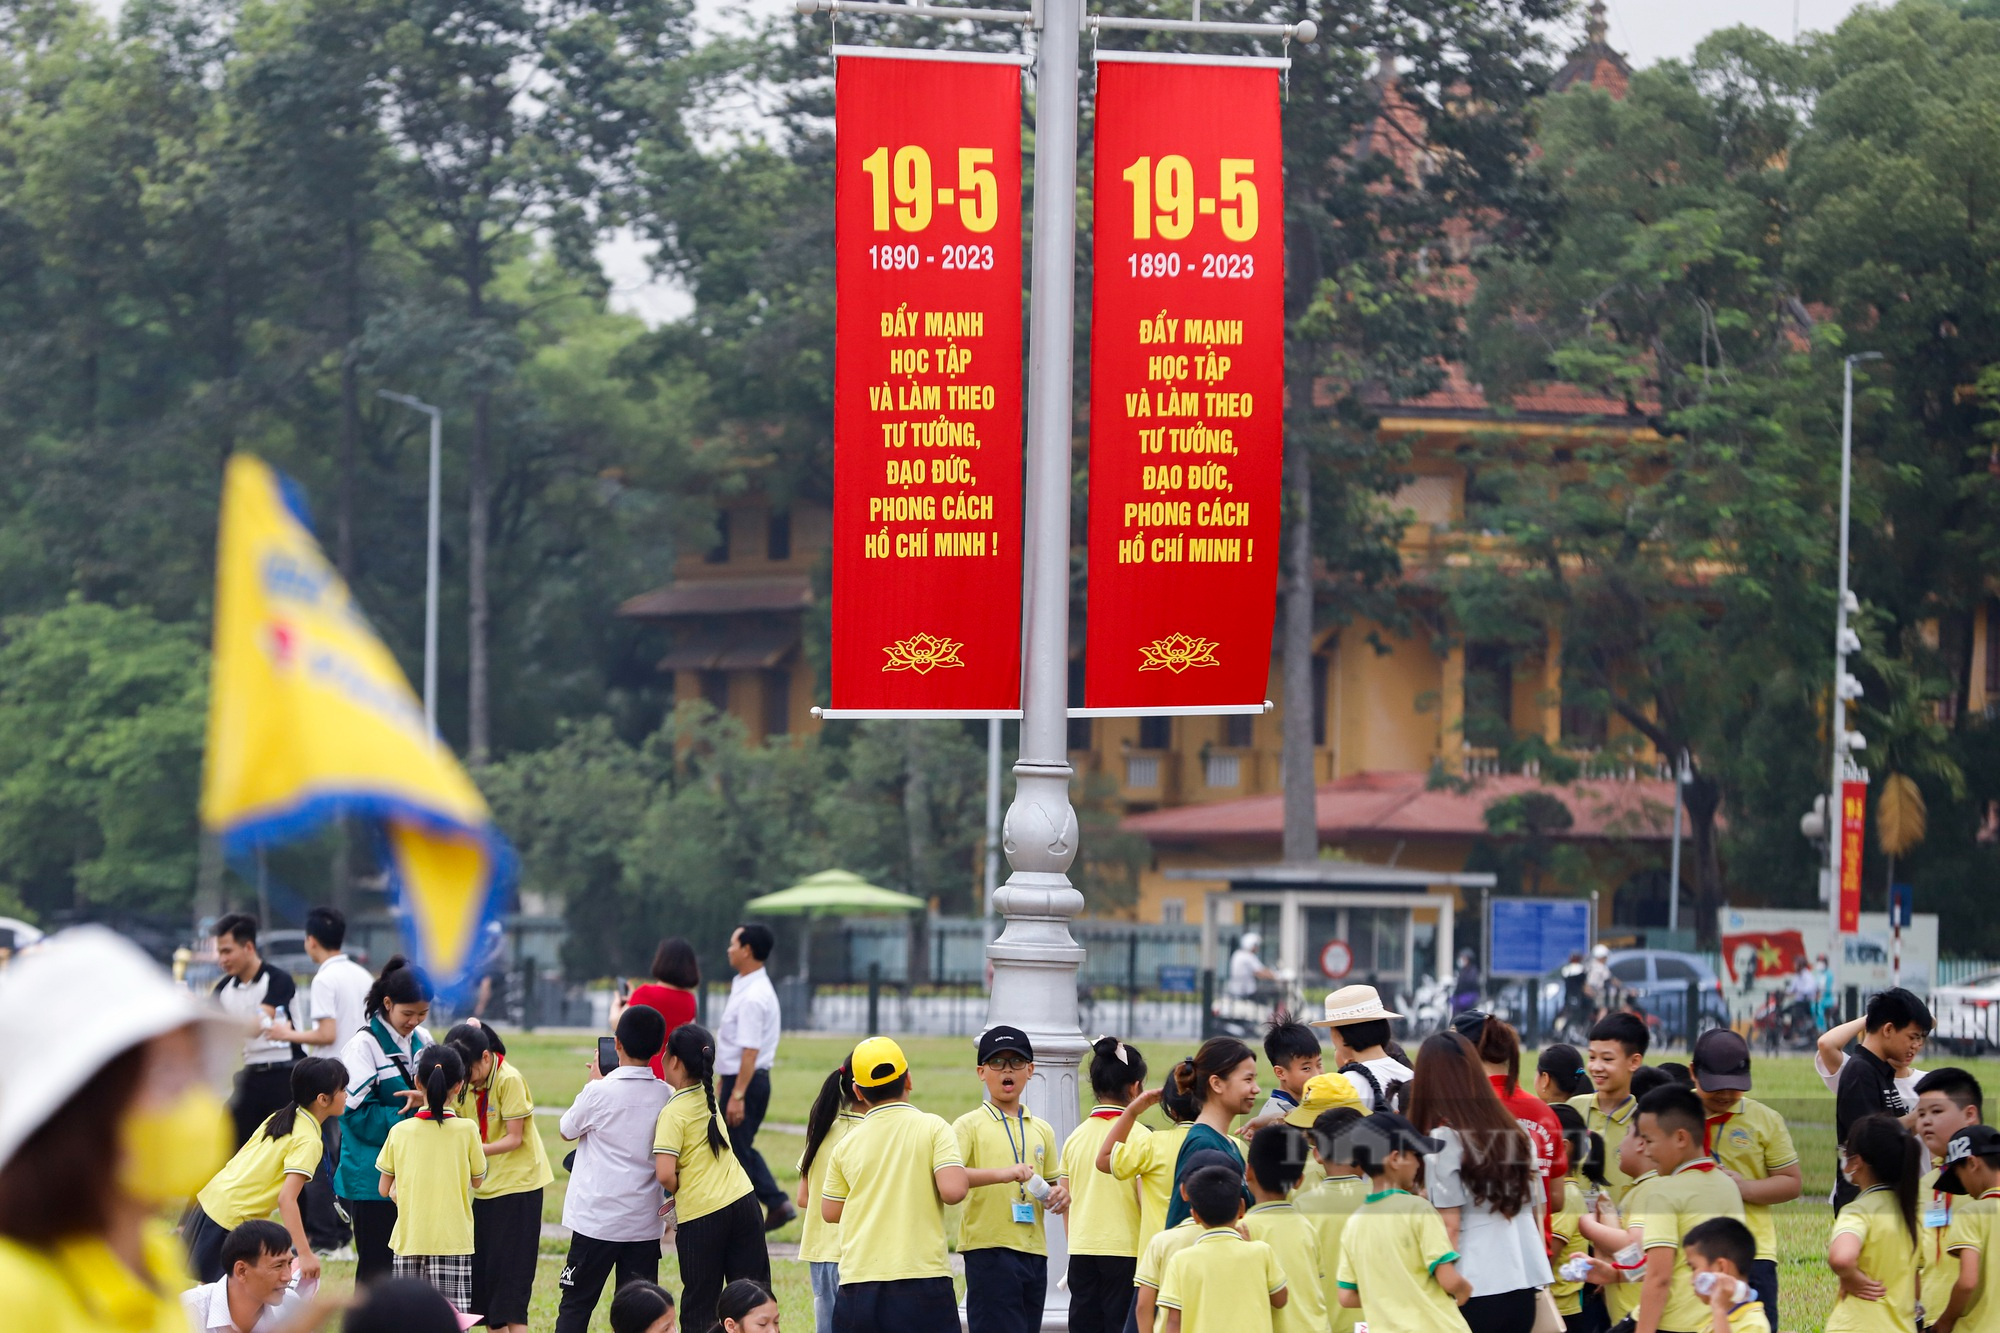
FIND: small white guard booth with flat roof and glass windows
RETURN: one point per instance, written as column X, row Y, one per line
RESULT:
column 1337, row 924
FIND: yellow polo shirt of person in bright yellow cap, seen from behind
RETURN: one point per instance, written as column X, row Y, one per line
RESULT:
column 883, row 1172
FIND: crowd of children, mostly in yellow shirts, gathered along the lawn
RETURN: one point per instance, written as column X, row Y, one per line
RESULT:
column 1643, row 1198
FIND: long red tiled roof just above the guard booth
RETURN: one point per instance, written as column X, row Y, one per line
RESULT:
column 1403, row 806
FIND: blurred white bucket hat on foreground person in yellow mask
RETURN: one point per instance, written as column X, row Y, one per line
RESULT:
column 73, row 1004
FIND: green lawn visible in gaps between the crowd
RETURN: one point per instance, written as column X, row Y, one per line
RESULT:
column 943, row 1076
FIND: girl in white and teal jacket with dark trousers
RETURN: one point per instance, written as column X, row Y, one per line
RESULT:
column 381, row 1092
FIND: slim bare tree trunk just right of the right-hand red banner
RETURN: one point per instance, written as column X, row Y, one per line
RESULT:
column 1301, row 790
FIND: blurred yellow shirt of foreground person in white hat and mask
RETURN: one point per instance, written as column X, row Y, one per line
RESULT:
column 81, row 1286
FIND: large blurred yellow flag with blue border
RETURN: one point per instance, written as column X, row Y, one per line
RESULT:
column 311, row 720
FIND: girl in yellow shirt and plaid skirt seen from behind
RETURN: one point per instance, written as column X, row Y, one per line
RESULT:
column 431, row 1166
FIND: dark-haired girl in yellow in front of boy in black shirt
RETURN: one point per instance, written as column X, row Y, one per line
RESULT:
column 1875, row 1240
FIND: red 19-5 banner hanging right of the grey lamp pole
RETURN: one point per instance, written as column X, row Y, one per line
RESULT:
column 1187, row 385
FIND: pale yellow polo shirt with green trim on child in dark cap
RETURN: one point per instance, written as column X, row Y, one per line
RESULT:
column 1391, row 1254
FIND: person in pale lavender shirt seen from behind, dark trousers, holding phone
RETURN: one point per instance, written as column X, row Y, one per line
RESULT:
column 613, row 1208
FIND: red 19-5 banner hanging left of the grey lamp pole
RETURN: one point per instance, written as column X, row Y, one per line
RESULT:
column 927, row 387
